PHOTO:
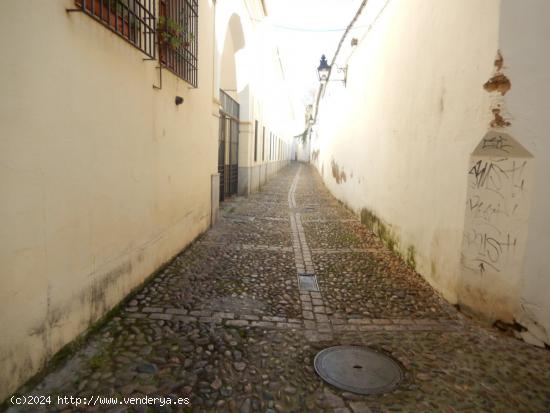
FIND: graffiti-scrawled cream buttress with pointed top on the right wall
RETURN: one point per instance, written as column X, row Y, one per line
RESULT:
column 496, row 206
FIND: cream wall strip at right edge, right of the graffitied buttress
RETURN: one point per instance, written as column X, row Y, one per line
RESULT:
column 524, row 38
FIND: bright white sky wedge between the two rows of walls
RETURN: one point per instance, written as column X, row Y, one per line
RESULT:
column 304, row 30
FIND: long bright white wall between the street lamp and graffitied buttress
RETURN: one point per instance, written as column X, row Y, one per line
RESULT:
column 398, row 137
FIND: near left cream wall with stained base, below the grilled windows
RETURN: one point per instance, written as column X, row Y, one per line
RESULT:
column 95, row 170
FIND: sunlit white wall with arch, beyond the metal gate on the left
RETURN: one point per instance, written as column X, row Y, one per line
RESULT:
column 262, row 89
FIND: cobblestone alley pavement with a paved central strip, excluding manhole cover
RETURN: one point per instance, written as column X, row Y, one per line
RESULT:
column 227, row 324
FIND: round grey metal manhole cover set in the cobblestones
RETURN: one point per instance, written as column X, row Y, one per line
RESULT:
column 358, row 369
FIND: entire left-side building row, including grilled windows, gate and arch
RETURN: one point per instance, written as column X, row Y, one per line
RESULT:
column 118, row 121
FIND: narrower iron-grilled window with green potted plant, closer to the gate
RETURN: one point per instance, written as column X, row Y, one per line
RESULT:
column 177, row 37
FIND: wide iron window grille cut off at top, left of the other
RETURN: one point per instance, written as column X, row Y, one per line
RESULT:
column 133, row 20
